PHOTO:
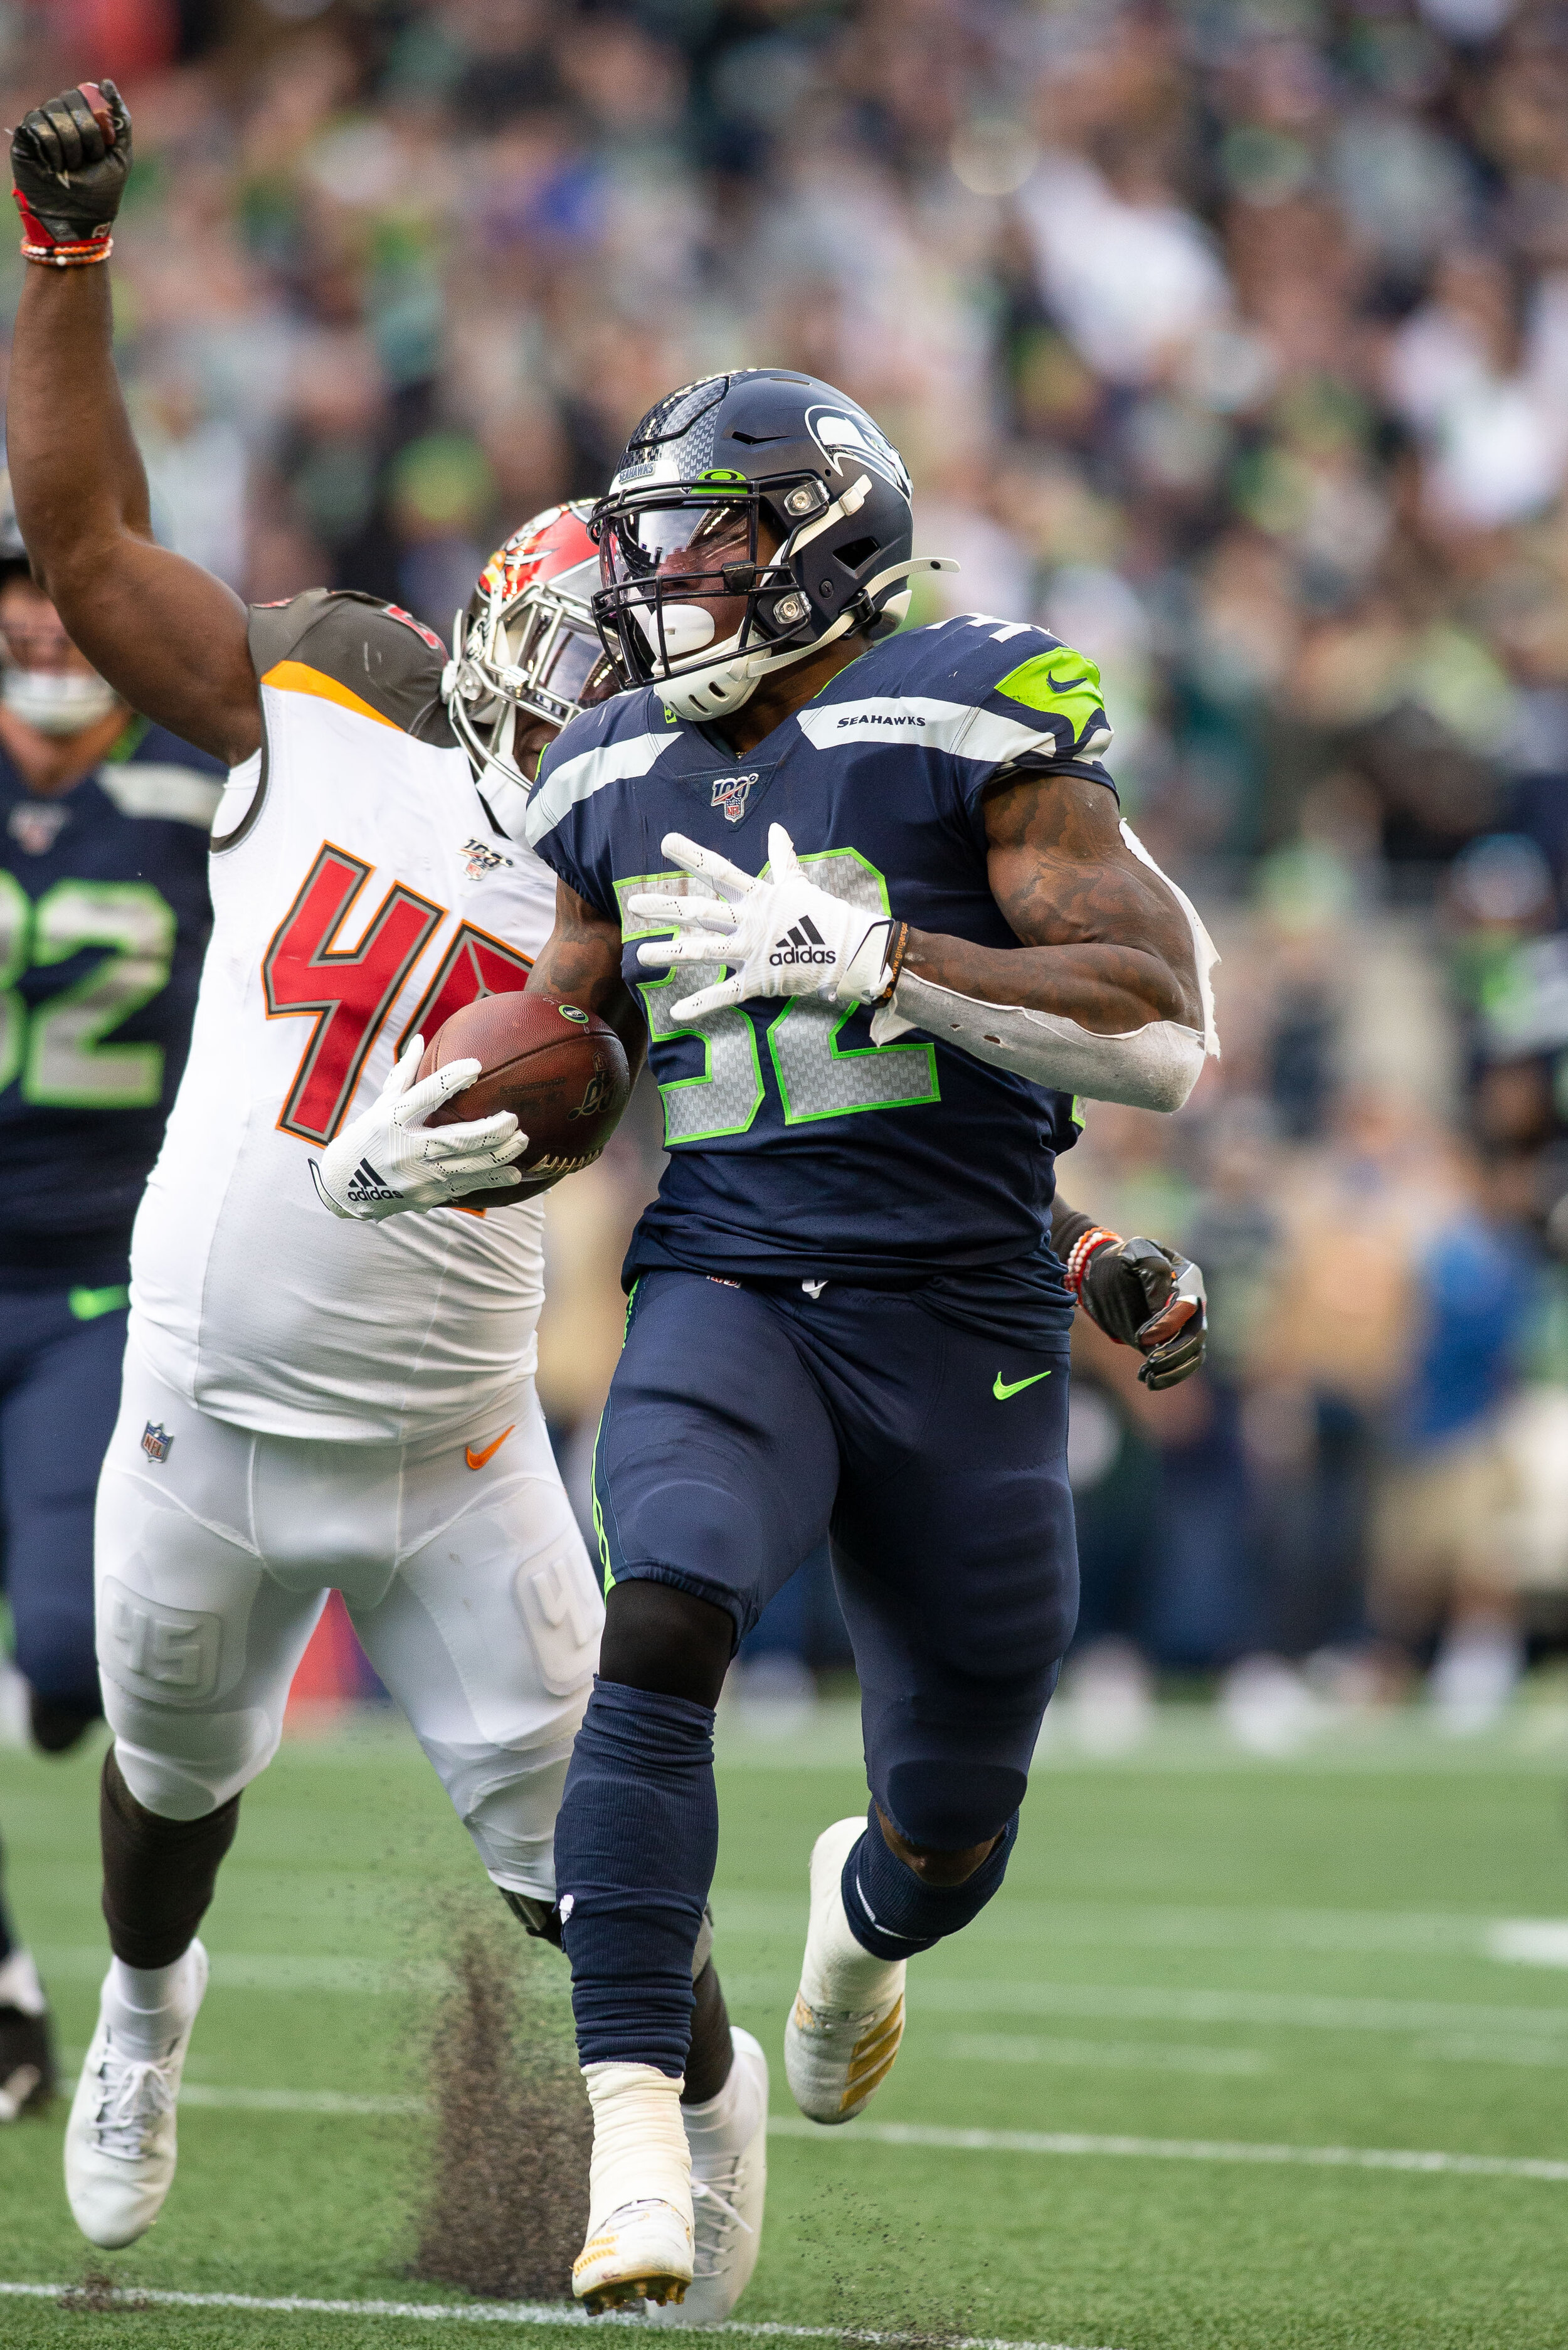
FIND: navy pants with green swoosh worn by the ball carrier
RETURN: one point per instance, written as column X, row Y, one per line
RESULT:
column 749, row 1423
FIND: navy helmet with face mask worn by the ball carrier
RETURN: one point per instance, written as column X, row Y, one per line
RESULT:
column 772, row 495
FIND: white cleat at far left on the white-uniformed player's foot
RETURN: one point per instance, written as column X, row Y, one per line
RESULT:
column 121, row 2133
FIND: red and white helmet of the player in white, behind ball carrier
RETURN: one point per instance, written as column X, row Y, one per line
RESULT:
column 528, row 643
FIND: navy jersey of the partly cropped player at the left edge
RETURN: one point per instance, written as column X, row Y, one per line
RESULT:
column 105, row 922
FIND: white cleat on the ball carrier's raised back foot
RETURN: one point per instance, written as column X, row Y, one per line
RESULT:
column 847, row 2017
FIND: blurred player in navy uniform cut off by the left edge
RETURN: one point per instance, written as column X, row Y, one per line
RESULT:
column 105, row 920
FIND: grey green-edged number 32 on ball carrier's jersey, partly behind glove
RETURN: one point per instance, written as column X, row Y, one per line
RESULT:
column 817, row 1075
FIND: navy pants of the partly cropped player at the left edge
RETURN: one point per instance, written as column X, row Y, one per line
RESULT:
column 60, row 1395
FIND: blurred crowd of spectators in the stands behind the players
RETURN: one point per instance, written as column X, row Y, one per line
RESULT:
column 1228, row 340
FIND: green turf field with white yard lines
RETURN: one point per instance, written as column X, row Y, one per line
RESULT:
column 1209, row 1987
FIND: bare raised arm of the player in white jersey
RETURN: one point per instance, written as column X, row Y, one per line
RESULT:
column 168, row 636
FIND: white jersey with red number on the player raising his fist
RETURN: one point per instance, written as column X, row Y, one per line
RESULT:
column 361, row 897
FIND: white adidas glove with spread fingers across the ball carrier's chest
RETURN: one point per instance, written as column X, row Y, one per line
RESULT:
column 782, row 936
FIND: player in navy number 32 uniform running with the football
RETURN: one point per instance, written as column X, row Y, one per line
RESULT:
column 883, row 922
